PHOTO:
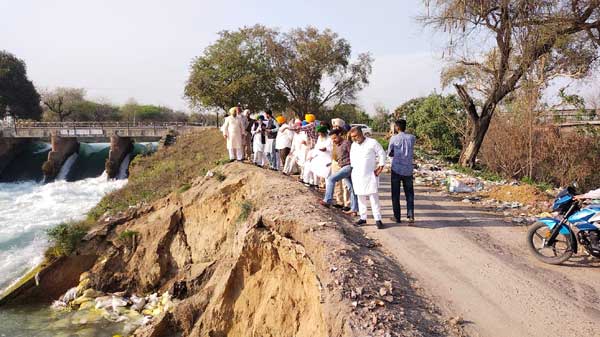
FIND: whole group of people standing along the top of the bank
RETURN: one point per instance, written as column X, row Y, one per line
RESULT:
column 332, row 155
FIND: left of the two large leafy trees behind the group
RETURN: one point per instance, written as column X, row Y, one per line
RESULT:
column 235, row 69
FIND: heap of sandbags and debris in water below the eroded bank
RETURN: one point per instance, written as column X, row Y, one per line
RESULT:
column 132, row 311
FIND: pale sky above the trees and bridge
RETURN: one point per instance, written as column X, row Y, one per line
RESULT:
column 142, row 49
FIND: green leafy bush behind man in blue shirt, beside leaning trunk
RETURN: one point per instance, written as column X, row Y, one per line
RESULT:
column 437, row 121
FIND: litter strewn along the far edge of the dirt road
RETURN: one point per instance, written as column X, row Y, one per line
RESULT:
column 519, row 203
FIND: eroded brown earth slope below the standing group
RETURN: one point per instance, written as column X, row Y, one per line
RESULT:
column 248, row 253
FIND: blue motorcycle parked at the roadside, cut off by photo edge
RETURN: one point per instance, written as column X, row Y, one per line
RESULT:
column 554, row 240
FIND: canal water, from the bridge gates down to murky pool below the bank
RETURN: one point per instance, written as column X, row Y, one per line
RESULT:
column 28, row 207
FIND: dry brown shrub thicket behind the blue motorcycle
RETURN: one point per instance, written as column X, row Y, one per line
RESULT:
column 541, row 154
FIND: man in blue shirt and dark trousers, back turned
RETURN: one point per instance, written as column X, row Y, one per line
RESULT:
column 401, row 150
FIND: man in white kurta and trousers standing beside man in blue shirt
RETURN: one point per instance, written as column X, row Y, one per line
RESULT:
column 367, row 159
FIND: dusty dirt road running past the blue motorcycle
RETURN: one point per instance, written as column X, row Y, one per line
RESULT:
column 476, row 266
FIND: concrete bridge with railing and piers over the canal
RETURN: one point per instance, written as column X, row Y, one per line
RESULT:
column 66, row 136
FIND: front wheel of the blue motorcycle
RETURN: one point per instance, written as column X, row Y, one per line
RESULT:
column 561, row 251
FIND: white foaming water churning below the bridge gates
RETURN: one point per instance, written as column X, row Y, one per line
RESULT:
column 27, row 209
